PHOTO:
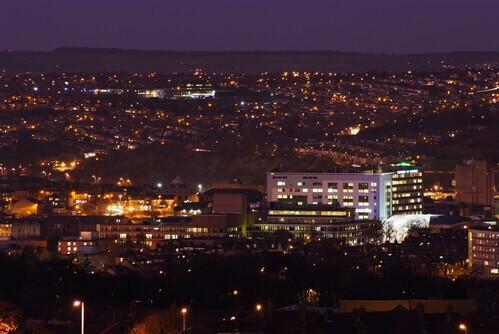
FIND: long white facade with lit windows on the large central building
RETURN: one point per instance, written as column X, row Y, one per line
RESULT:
column 369, row 193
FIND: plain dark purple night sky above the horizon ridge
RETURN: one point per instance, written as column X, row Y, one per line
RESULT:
column 343, row 25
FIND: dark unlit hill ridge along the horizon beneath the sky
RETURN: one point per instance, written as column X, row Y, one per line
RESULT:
column 95, row 59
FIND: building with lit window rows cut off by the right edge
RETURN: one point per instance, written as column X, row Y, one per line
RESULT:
column 483, row 251
